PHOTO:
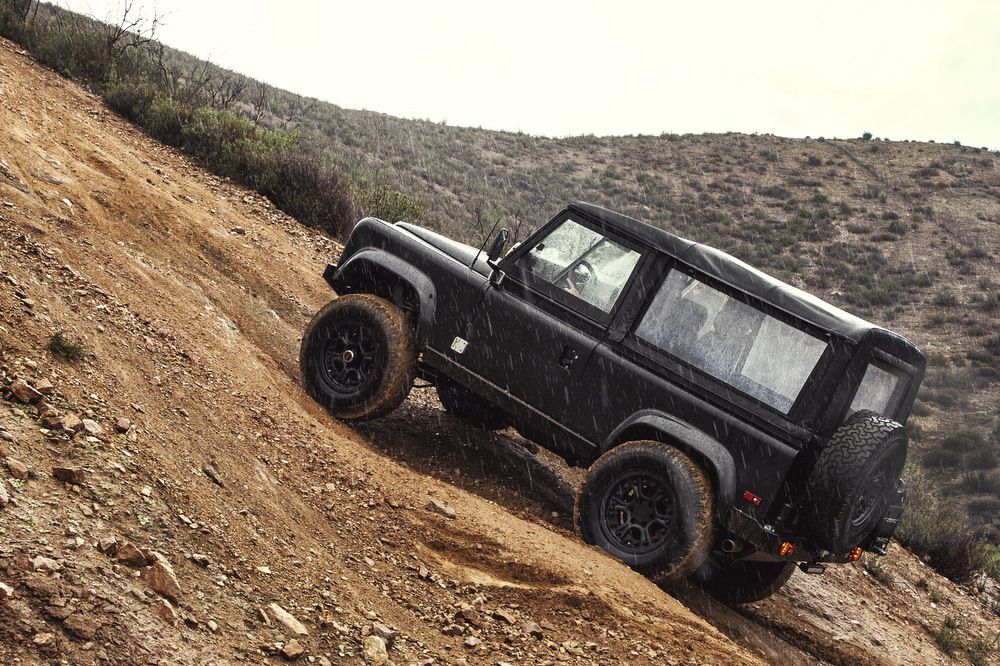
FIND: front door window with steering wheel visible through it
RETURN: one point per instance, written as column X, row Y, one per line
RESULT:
column 583, row 263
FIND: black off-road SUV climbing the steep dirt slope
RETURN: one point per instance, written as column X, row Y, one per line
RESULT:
column 733, row 425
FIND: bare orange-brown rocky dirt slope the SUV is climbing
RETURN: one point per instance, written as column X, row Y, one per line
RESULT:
column 174, row 497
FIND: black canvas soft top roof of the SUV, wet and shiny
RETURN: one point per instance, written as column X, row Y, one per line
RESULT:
column 735, row 273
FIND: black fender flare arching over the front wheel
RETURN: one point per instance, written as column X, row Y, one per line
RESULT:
column 360, row 273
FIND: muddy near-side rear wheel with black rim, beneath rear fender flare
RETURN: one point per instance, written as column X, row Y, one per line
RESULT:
column 650, row 506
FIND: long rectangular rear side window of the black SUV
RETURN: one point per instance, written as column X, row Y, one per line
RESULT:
column 730, row 340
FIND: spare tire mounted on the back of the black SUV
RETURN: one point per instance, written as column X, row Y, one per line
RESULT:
column 854, row 480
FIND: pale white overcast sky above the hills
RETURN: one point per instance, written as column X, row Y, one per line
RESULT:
column 913, row 69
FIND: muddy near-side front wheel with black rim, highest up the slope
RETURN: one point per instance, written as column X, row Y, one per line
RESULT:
column 358, row 357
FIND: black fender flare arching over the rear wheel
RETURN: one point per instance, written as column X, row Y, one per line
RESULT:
column 705, row 449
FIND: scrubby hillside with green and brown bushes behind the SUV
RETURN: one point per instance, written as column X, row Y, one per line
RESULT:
column 904, row 233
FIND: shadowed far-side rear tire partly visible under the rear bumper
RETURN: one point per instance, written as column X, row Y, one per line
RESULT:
column 739, row 581
